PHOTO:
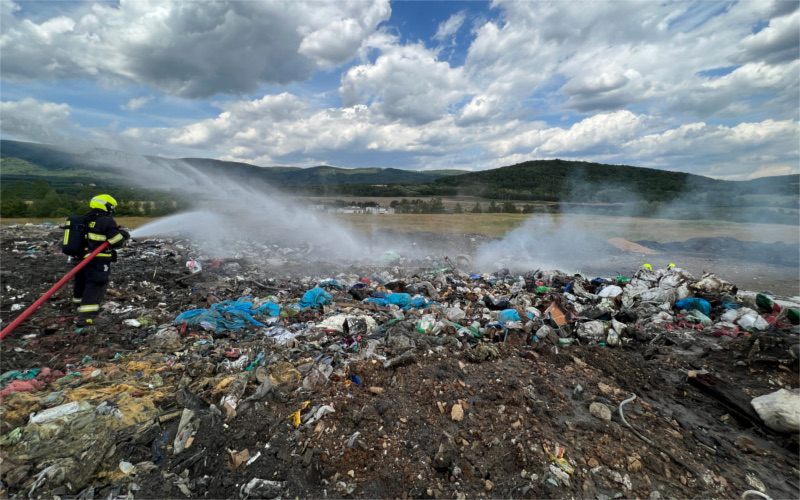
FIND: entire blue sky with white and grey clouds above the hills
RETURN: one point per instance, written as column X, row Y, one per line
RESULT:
column 710, row 87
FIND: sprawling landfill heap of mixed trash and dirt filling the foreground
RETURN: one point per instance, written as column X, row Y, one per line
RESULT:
column 408, row 377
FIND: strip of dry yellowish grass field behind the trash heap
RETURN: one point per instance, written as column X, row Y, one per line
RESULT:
column 630, row 228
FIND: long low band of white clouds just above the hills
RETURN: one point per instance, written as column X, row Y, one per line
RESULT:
column 282, row 129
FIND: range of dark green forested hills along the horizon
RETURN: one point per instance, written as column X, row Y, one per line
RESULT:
column 543, row 180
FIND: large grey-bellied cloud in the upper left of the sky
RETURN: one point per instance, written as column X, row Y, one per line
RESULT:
column 188, row 49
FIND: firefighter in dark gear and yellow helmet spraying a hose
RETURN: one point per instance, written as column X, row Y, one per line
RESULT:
column 91, row 281
